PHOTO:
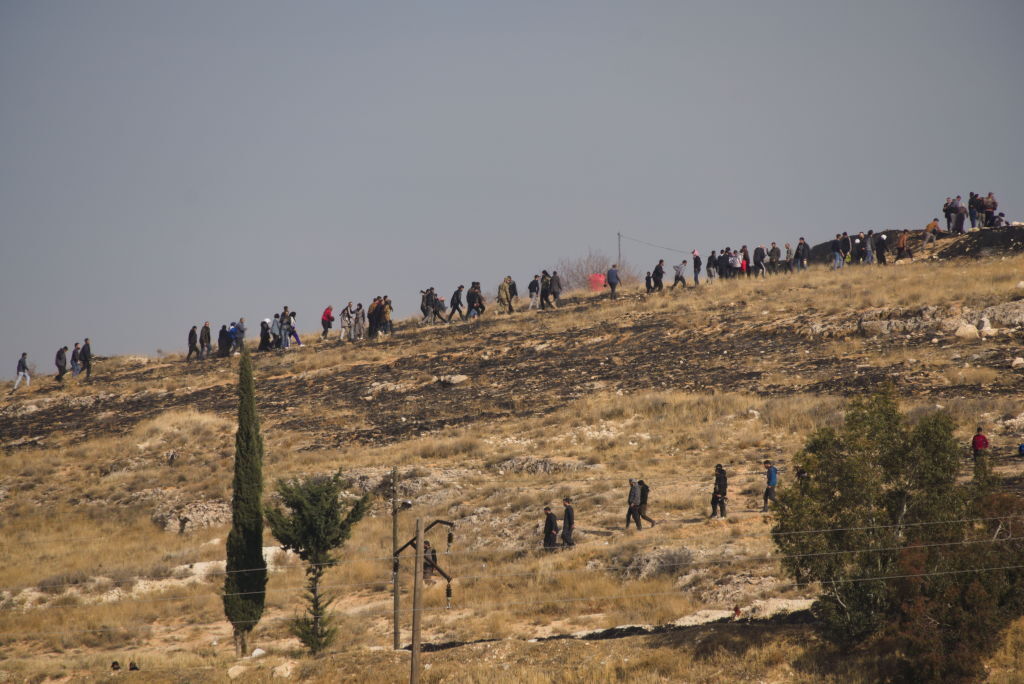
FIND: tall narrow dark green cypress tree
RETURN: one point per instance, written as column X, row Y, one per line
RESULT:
column 245, row 582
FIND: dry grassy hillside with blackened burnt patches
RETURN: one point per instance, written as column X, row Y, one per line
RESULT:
column 114, row 495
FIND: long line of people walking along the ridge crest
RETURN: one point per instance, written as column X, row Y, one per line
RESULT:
column 545, row 289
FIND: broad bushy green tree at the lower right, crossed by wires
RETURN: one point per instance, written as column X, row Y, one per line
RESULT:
column 900, row 559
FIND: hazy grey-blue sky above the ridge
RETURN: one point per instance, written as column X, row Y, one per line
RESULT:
column 162, row 163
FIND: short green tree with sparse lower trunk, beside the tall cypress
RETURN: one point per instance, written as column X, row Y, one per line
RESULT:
column 314, row 527
